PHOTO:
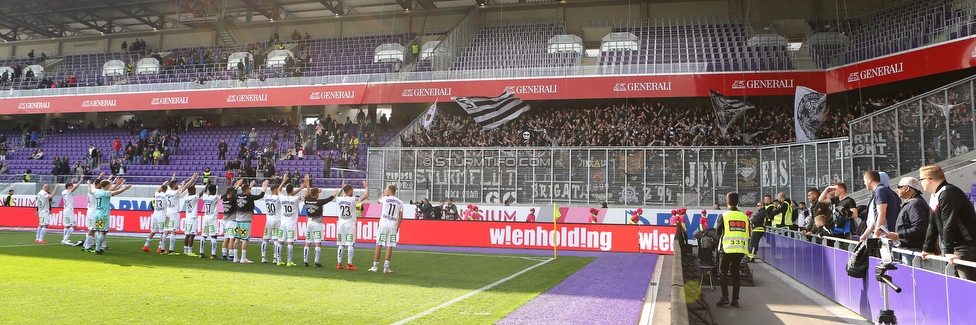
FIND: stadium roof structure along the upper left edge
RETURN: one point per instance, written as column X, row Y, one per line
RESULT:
column 40, row 19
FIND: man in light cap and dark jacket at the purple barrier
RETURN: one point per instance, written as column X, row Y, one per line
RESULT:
column 912, row 220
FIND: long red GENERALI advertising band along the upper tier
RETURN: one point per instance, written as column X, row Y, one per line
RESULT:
column 949, row 56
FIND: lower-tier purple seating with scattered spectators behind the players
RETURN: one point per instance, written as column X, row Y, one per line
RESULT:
column 198, row 150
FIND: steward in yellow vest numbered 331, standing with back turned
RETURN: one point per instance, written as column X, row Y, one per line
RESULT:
column 733, row 228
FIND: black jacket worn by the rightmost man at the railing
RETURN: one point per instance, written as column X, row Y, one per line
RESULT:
column 953, row 219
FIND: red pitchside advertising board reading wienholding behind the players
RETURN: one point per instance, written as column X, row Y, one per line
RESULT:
column 576, row 237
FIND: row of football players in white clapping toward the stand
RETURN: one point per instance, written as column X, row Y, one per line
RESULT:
column 282, row 203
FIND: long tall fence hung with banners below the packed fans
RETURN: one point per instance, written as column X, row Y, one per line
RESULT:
column 627, row 176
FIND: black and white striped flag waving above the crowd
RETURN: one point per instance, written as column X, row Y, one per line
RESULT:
column 492, row 112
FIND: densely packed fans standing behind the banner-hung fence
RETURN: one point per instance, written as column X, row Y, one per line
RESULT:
column 630, row 123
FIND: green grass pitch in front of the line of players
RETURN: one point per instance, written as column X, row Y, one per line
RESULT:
column 54, row 284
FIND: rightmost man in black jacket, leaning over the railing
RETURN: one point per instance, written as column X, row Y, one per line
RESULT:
column 953, row 220
